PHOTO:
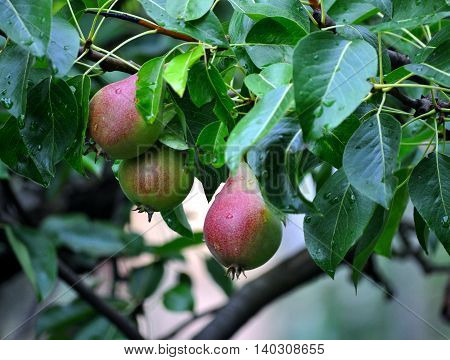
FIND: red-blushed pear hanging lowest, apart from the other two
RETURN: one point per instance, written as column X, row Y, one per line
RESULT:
column 240, row 230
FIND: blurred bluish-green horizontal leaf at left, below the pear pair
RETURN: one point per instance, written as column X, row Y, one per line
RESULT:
column 93, row 238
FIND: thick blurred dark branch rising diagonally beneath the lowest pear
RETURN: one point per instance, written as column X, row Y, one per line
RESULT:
column 245, row 303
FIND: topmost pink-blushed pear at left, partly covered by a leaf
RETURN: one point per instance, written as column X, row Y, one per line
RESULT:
column 115, row 124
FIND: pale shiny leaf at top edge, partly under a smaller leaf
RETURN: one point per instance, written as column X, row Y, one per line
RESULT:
column 207, row 29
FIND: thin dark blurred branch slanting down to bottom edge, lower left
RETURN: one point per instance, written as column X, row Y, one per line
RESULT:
column 122, row 323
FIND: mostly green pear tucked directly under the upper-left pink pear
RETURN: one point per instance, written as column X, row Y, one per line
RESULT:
column 158, row 179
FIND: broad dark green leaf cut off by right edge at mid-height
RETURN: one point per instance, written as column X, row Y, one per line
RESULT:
column 433, row 174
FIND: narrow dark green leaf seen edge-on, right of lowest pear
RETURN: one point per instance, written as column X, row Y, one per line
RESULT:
column 367, row 242
